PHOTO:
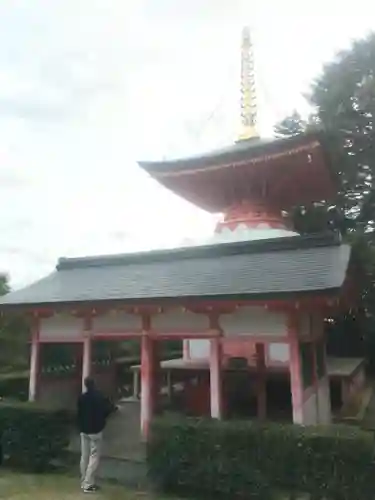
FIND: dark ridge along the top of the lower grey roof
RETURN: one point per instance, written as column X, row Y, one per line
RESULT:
column 203, row 251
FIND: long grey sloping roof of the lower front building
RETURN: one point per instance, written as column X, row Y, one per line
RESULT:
column 294, row 265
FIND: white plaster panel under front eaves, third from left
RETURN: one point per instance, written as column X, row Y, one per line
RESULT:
column 180, row 321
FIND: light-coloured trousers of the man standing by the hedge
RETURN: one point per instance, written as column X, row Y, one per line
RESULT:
column 90, row 456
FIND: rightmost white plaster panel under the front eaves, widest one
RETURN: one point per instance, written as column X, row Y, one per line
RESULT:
column 256, row 321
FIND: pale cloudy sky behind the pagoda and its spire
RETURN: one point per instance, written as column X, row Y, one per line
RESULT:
column 88, row 87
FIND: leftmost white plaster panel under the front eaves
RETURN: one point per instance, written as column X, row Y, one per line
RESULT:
column 61, row 326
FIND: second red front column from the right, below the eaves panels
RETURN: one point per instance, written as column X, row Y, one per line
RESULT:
column 216, row 386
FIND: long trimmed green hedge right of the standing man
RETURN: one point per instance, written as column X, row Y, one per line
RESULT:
column 209, row 459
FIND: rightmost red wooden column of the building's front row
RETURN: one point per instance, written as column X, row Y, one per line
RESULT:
column 296, row 385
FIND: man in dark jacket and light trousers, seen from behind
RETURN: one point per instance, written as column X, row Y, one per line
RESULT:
column 93, row 411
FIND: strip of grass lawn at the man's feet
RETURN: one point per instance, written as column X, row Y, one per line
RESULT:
column 14, row 486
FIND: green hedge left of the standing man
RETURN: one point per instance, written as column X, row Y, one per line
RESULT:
column 32, row 436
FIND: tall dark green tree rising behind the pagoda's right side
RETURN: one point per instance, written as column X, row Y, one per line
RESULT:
column 343, row 108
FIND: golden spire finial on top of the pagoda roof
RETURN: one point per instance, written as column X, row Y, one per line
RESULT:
column 249, row 108
